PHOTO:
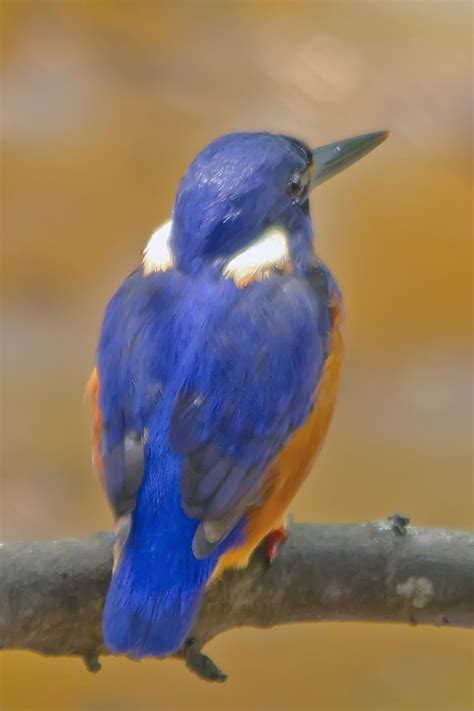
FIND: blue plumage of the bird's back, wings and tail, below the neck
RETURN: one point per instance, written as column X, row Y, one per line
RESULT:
column 195, row 390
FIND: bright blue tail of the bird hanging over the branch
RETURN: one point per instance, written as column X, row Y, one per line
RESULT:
column 158, row 584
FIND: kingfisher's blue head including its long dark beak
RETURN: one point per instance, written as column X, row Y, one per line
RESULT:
column 247, row 187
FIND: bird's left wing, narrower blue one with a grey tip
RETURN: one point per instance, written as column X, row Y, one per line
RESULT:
column 128, row 380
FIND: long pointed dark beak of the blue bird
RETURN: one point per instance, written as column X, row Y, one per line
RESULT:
column 334, row 157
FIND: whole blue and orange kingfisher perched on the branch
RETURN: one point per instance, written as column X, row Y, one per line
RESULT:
column 215, row 381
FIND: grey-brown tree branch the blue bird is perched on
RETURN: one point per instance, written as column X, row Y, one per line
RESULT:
column 53, row 591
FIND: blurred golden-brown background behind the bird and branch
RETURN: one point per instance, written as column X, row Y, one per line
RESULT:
column 104, row 104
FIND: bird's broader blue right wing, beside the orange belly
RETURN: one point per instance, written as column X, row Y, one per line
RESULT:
column 250, row 385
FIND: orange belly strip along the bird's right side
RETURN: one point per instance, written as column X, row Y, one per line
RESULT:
column 294, row 462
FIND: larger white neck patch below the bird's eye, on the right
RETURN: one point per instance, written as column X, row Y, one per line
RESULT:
column 269, row 251
